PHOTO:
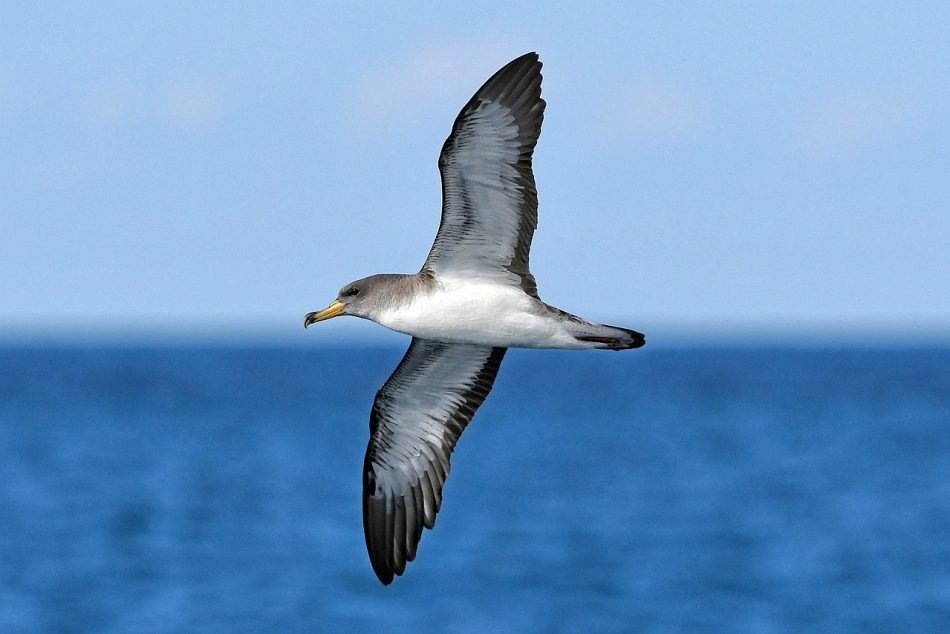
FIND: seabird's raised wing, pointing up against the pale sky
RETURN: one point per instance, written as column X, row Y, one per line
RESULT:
column 489, row 200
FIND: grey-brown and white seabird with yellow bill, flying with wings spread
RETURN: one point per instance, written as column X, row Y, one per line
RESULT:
column 472, row 300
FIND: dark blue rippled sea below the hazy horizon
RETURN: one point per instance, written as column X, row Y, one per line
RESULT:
column 215, row 489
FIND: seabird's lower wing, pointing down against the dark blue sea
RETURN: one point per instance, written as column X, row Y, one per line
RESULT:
column 417, row 418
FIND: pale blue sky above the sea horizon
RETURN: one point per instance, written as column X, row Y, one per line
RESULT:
column 224, row 168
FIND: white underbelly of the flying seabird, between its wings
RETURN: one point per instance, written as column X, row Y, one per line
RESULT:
column 479, row 313
